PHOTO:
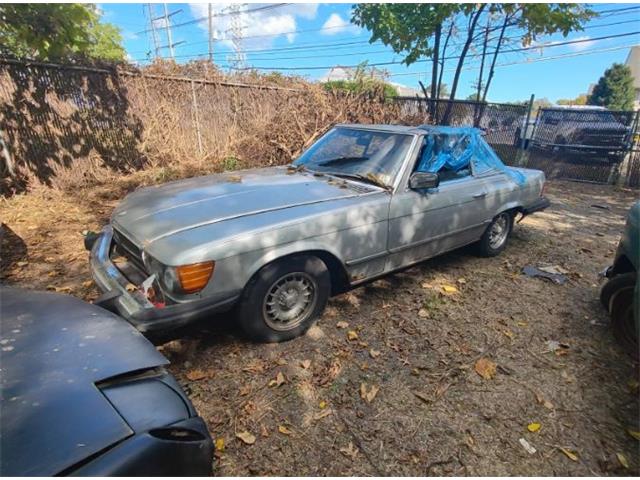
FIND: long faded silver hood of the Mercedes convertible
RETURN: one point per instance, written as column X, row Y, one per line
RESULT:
column 152, row 213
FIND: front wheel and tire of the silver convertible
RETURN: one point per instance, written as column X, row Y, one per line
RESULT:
column 277, row 291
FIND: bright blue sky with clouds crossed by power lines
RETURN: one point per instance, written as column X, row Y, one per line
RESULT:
column 307, row 39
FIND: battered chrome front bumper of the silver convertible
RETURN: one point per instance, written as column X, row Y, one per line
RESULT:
column 133, row 305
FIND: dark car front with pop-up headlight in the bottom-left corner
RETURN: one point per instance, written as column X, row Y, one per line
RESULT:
column 84, row 393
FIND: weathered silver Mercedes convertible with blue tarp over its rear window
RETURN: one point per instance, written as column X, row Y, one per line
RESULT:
column 274, row 243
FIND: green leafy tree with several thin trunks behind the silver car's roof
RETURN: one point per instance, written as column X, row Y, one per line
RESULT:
column 423, row 31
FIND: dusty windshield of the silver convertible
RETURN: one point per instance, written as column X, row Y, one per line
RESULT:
column 376, row 156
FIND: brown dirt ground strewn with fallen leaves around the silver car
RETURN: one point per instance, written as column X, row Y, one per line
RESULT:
column 388, row 381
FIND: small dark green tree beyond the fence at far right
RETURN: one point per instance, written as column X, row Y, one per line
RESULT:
column 614, row 90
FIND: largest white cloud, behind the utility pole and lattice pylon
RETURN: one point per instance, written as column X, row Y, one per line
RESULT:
column 261, row 27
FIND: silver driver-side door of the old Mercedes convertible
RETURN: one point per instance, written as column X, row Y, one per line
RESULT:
column 424, row 223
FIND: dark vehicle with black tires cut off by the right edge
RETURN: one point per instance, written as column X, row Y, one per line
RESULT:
column 621, row 294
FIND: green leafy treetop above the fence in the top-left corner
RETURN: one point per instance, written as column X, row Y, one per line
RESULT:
column 57, row 32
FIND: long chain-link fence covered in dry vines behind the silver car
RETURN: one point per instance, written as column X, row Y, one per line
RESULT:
column 62, row 125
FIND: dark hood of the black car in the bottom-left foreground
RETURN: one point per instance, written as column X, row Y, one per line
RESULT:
column 54, row 350
